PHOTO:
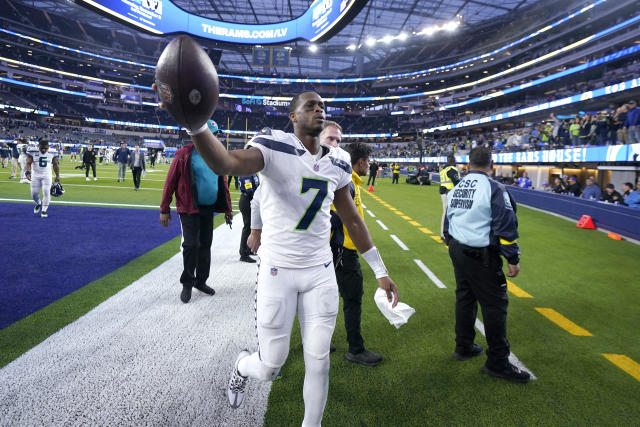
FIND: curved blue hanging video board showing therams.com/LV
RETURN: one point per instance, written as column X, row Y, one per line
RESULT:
column 165, row 17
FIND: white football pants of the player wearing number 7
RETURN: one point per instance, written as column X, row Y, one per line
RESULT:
column 312, row 293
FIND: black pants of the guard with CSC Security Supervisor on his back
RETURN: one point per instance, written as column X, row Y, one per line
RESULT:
column 479, row 279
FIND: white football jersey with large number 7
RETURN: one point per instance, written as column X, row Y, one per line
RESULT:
column 297, row 191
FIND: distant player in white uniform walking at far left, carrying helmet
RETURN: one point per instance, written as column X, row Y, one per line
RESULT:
column 38, row 171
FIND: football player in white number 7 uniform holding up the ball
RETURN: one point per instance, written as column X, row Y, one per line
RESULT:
column 300, row 180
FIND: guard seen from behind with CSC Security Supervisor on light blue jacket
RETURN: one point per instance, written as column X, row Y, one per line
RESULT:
column 480, row 226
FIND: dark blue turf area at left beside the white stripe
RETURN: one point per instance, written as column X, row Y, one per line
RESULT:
column 44, row 259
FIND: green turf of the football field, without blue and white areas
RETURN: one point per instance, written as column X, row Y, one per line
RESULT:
column 584, row 276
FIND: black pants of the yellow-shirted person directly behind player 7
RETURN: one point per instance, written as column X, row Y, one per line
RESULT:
column 349, row 277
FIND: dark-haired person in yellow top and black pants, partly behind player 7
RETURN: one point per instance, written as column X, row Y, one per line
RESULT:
column 347, row 264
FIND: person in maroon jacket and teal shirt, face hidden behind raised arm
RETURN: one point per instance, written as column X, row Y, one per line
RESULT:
column 199, row 193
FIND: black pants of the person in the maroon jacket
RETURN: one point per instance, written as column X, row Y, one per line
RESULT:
column 197, row 232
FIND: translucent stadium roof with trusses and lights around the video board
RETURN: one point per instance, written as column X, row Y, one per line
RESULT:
column 381, row 28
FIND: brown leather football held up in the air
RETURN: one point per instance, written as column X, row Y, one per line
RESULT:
column 187, row 82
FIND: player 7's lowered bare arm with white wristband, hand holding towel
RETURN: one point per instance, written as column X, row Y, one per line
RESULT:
column 361, row 238
